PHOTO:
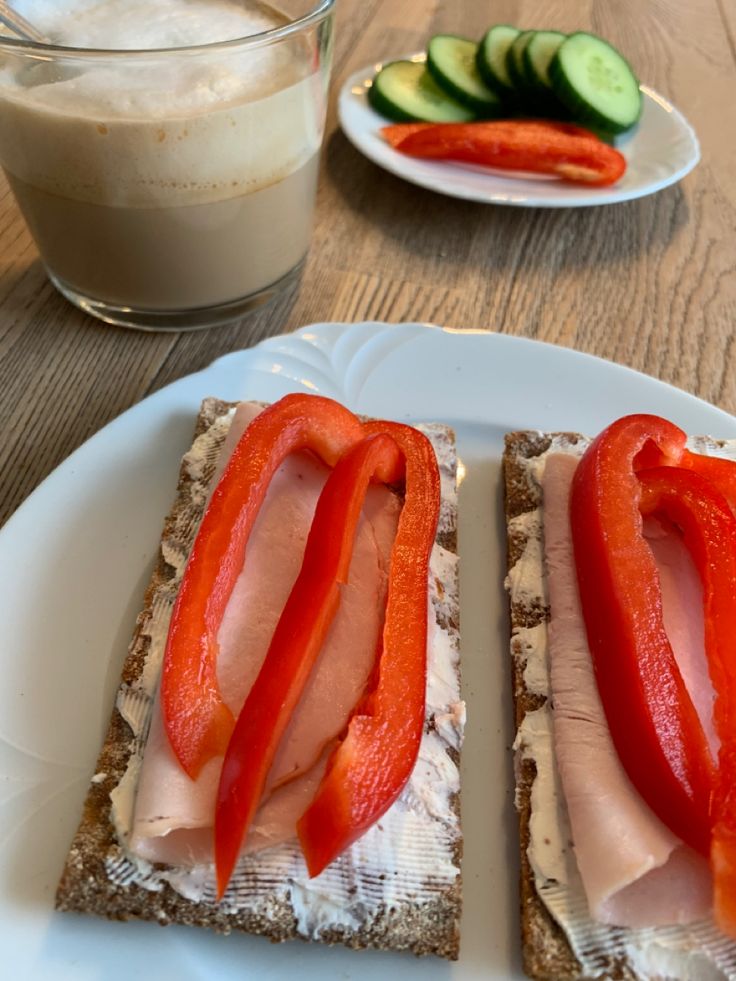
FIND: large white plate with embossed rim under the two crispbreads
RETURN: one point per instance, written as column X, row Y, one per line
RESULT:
column 74, row 561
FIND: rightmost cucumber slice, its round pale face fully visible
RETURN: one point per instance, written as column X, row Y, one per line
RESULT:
column 596, row 83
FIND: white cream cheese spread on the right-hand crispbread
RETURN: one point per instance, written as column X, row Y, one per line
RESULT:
column 682, row 952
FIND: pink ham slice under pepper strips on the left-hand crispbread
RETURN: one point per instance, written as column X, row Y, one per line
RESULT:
column 173, row 814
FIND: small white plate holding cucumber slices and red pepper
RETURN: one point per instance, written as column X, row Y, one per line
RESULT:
column 660, row 151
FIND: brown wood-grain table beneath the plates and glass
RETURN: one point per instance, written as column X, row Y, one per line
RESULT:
column 649, row 283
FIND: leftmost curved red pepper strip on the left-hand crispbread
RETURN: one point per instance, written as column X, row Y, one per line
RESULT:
column 197, row 721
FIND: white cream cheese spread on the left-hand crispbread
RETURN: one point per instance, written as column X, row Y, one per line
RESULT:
column 410, row 853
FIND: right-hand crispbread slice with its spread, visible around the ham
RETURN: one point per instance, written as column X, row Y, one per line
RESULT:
column 601, row 951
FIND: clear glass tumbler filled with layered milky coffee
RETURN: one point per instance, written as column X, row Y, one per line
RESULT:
column 170, row 189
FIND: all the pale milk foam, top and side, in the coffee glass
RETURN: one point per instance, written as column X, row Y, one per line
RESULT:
column 159, row 130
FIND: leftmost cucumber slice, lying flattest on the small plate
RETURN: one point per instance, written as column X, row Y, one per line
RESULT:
column 405, row 91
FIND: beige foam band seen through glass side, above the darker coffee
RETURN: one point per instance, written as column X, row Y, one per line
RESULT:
column 162, row 162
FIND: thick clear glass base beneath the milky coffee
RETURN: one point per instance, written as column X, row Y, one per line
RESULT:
column 196, row 318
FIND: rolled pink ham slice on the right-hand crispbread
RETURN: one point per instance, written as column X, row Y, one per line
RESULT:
column 635, row 872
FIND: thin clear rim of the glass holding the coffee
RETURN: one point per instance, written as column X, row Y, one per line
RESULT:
column 313, row 16
